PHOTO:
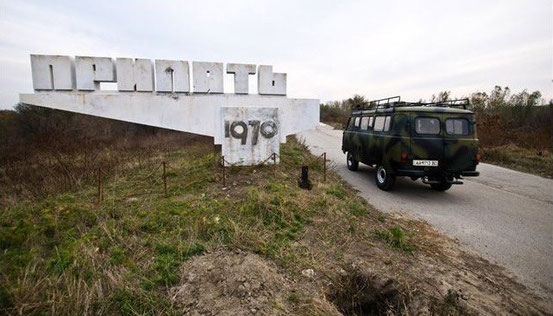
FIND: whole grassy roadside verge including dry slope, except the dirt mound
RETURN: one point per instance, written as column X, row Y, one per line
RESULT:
column 63, row 254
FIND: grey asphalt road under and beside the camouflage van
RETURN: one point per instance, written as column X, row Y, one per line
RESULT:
column 504, row 215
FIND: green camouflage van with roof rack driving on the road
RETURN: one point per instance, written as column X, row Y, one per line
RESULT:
column 435, row 142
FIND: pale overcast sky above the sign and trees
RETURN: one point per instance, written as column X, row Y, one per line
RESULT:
column 330, row 49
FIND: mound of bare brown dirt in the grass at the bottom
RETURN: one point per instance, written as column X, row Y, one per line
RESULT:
column 231, row 283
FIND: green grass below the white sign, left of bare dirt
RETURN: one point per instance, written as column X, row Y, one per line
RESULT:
column 67, row 254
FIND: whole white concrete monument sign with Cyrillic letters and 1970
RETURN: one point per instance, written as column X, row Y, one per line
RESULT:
column 250, row 127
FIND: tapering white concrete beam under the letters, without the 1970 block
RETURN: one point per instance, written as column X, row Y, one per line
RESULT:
column 198, row 114
